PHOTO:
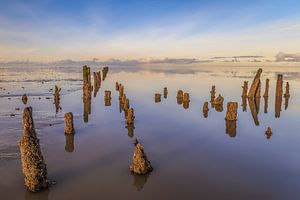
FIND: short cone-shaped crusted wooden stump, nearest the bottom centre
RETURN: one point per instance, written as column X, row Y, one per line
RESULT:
column 140, row 163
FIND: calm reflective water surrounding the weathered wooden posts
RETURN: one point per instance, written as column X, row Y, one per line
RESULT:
column 193, row 157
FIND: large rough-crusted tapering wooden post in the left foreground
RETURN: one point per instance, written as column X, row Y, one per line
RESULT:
column 33, row 164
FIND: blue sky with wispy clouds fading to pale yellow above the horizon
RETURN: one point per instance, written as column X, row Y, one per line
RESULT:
column 50, row 30
